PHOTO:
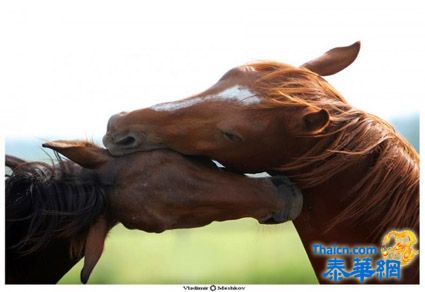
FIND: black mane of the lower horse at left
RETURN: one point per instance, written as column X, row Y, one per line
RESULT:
column 47, row 202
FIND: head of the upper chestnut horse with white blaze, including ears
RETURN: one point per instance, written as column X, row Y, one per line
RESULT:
column 238, row 118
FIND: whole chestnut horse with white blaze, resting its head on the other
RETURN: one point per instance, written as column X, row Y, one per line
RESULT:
column 358, row 176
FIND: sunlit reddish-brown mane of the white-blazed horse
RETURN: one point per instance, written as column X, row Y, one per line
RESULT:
column 391, row 185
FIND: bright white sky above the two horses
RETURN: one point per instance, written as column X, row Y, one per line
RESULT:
column 67, row 66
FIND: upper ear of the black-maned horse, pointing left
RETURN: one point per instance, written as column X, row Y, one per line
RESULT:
column 84, row 153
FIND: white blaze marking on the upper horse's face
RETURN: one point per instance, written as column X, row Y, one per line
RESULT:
column 235, row 93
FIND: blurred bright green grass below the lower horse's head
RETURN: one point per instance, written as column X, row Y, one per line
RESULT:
column 239, row 251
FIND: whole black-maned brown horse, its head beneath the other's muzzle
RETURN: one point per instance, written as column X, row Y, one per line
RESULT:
column 56, row 214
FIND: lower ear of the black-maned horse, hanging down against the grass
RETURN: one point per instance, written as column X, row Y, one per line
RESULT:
column 94, row 247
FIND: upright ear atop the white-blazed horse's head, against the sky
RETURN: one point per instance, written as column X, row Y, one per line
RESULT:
column 334, row 60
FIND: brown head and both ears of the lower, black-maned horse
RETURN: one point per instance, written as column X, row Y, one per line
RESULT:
column 161, row 190
